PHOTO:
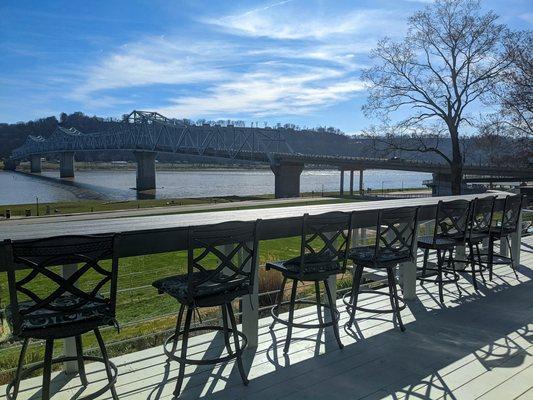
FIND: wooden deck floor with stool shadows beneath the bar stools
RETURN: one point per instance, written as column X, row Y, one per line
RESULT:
column 480, row 346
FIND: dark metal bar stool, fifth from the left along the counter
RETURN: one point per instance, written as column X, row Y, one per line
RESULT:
column 451, row 223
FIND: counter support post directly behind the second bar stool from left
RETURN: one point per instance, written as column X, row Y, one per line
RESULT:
column 250, row 306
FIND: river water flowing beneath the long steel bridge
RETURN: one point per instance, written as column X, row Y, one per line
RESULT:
column 19, row 188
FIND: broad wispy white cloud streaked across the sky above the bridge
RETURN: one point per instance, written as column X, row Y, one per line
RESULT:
column 264, row 64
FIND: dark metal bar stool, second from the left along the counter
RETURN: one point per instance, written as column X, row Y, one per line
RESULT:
column 214, row 278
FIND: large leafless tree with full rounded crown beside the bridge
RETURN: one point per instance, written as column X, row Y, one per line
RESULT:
column 451, row 56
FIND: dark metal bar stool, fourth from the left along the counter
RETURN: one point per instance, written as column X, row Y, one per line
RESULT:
column 394, row 244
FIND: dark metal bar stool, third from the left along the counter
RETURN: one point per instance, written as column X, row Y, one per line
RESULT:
column 324, row 246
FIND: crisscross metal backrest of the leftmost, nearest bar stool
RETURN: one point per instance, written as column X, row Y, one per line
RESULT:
column 45, row 285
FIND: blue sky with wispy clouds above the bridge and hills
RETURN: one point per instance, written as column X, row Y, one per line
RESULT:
column 273, row 61
